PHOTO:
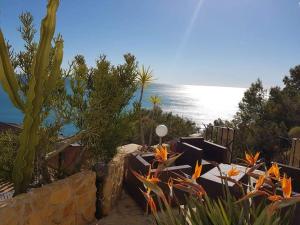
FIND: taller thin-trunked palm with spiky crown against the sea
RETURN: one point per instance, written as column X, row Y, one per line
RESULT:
column 145, row 77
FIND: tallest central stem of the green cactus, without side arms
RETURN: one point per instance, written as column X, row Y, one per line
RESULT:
column 29, row 138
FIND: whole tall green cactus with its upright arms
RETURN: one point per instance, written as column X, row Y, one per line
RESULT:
column 37, row 93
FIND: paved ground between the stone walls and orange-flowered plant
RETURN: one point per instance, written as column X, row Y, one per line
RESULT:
column 127, row 212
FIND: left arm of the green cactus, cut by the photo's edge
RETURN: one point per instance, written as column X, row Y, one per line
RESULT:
column 7, row 76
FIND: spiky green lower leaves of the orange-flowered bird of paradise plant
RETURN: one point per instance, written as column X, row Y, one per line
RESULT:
column 222, row 211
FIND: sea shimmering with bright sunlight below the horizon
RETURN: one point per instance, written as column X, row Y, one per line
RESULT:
column 202, row 104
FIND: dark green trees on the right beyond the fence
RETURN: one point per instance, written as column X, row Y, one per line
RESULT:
column 265, row 117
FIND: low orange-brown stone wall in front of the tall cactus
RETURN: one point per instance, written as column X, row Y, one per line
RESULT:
column 70, row 201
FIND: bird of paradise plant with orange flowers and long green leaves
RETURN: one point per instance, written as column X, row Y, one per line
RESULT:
column 268, row 198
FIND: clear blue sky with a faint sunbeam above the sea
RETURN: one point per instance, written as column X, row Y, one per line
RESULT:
column 210, row 42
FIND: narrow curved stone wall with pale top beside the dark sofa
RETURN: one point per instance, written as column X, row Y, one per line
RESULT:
column 113, row 182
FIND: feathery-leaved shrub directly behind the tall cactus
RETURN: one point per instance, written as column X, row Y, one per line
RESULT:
column 52, row 116
